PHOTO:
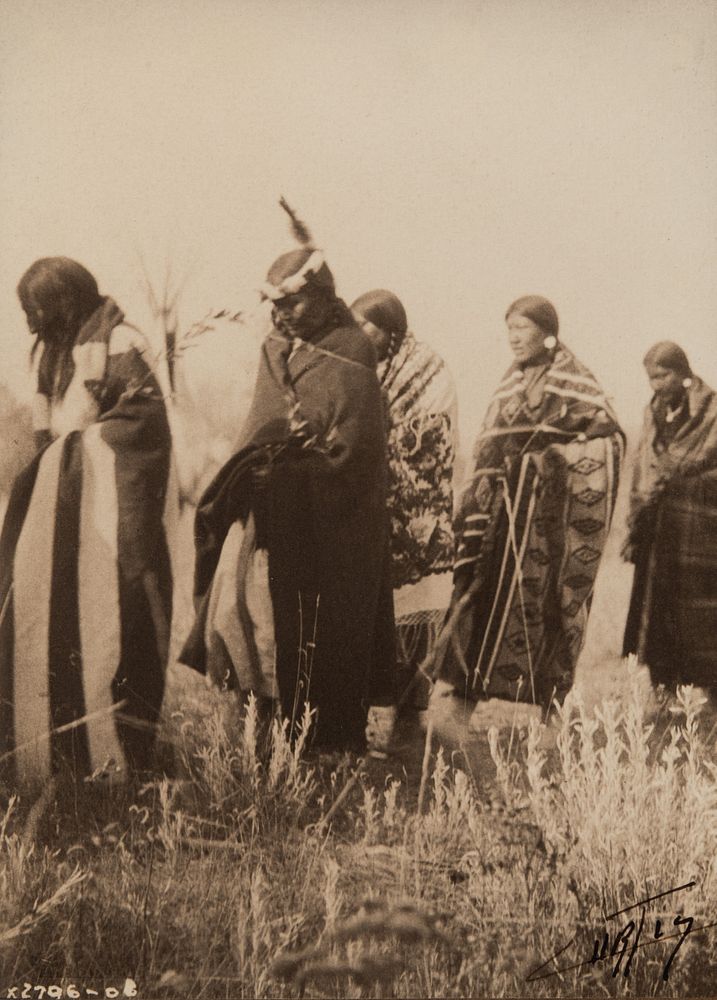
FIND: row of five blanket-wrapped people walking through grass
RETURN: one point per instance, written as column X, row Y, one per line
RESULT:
column 331, row 560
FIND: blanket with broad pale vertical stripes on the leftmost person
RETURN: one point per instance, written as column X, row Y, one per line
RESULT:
column 86, row 580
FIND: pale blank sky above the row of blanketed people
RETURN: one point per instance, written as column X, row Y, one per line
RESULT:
column 458, row 153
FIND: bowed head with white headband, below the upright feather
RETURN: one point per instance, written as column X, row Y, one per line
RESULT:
column 301, row 289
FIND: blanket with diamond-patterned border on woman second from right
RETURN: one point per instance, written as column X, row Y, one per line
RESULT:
column 530, row 531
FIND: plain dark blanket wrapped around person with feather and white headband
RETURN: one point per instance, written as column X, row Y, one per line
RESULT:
column 316, row 425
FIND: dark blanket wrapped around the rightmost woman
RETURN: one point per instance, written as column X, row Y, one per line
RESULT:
column 672, row 622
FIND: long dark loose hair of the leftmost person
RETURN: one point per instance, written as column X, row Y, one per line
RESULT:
column 57, row 295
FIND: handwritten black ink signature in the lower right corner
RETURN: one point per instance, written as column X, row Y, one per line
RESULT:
column 620, row 948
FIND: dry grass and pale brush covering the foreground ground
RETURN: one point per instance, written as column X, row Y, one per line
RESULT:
column 457, row 867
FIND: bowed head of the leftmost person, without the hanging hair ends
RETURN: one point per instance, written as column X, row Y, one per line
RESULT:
column 57, row 296
